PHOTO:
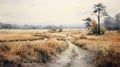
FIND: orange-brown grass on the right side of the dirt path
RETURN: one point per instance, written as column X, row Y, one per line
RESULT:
column 105, row 47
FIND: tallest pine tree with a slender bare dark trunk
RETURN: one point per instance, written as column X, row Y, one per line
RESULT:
column 99, row 11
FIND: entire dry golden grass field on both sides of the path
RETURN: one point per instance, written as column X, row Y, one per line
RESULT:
column 35, row 46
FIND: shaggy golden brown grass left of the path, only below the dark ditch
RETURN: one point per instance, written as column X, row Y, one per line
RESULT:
column 40, row 51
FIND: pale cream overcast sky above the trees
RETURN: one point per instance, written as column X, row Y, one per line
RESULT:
column 51, row 11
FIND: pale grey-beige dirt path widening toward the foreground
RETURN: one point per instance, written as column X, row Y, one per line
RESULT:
column 73, row 56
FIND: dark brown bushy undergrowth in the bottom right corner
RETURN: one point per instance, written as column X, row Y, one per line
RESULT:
column 109, row 58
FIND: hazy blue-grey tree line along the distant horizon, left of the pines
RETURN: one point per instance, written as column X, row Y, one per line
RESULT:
column 16, row 26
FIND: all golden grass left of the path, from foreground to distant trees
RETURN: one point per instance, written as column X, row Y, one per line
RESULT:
column 26, row 47
